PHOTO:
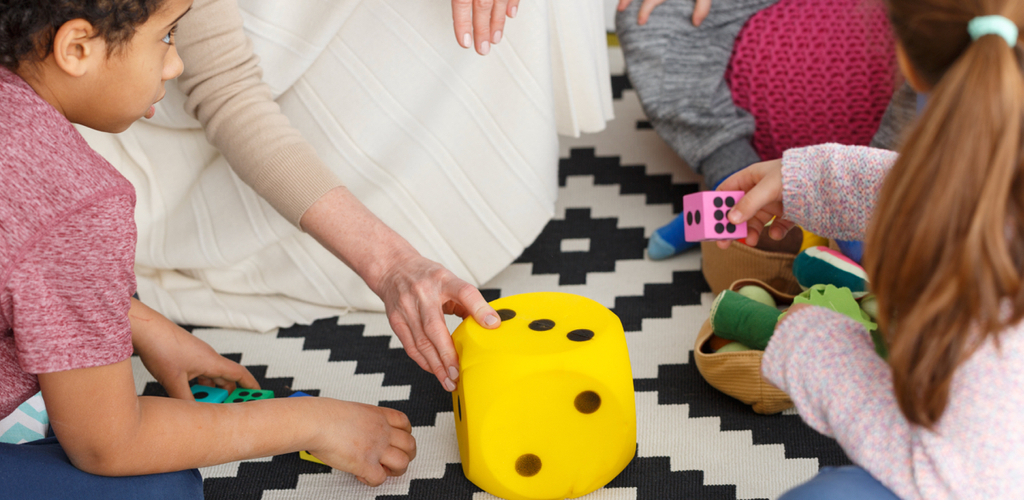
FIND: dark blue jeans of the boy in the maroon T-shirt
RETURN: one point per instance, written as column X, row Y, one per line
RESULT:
column 41, row 470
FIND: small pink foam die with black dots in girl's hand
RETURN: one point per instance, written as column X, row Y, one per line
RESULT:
column 705, row 213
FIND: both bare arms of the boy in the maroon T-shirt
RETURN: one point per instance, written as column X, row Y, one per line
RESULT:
column 107, row 430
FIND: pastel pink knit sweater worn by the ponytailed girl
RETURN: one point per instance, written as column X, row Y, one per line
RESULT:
column 827, row 363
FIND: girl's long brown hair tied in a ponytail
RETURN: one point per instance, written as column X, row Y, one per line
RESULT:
column 946, row 248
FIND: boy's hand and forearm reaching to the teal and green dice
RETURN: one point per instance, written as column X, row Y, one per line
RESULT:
column 175, row 357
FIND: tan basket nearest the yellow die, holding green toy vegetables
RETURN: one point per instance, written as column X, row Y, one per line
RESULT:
column 739, row 374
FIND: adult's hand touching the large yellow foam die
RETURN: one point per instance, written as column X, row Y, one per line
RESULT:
column 417, row 295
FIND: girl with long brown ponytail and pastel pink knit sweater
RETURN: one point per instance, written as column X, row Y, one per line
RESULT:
column 945, row 254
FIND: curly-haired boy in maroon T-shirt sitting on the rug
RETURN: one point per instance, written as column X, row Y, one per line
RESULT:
column 68, row 323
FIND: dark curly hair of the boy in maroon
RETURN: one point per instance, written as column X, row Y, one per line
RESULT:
column 28, row 27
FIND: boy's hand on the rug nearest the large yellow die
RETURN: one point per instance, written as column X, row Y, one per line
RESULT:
column 370, row 442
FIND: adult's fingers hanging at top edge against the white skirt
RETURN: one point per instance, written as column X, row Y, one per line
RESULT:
column 482, row 23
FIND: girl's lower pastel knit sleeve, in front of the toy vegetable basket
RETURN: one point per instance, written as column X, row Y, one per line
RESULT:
column 827, row 364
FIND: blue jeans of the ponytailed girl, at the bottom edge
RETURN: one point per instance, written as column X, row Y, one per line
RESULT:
column 847, row 483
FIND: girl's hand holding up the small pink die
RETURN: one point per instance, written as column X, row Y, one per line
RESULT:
column 763, row 201
